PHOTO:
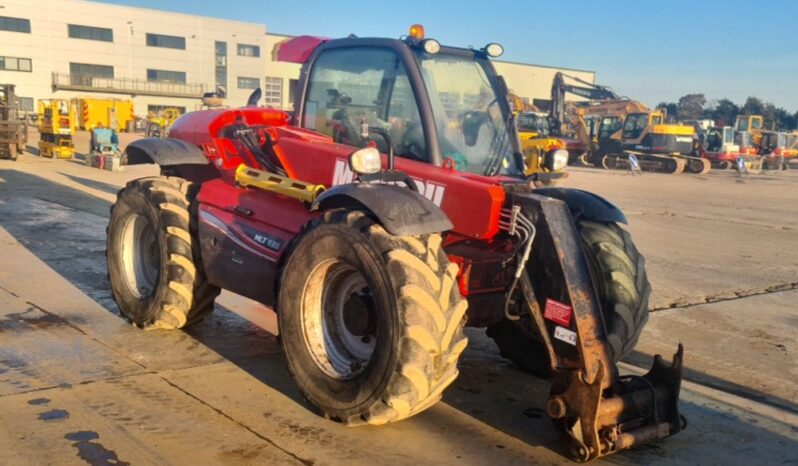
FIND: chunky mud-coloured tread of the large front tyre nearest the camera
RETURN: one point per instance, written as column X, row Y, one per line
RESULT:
column 431, row 320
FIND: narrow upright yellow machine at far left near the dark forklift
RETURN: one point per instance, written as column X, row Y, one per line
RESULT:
column 56, row 123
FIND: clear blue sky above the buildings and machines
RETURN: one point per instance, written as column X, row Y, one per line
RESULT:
column 650, row 51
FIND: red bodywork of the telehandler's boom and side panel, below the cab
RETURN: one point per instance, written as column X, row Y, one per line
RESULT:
column 262, row 223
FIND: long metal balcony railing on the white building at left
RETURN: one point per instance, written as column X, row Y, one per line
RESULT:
column 72, row 82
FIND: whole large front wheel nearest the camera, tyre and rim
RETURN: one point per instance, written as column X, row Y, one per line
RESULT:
column 371, row 323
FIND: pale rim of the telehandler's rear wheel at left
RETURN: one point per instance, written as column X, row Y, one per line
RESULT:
column 141, row 256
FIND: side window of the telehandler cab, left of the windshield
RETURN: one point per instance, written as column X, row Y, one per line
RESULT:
column 350, row 87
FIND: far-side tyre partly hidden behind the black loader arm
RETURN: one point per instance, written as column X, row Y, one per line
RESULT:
column 619, row 273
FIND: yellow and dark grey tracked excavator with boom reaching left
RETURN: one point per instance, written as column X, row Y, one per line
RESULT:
column 657, row 146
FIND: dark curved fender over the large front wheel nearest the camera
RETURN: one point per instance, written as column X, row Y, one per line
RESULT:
column 401, row 211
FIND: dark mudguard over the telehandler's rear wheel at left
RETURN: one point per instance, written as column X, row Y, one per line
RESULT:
column 164, row 152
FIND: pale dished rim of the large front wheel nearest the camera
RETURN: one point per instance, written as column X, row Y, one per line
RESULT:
column 338, row 319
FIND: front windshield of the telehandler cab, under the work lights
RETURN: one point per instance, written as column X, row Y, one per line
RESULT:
column 473, row 129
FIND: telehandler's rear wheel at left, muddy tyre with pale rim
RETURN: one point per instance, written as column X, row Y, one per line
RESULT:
column 153, row 258
